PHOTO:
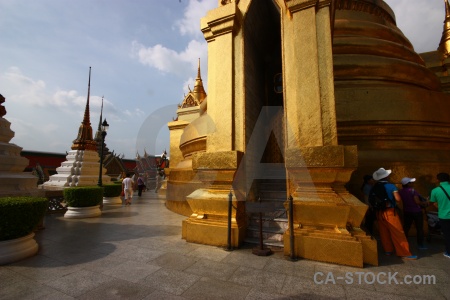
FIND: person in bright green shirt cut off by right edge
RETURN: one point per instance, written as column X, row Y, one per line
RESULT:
column 441, row 200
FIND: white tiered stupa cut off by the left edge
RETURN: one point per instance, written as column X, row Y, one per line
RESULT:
column 13, row 181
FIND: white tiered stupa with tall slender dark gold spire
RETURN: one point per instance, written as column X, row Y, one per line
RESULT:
column 82, row 165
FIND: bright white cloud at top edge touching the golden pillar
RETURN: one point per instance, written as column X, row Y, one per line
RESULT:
column 190, row 24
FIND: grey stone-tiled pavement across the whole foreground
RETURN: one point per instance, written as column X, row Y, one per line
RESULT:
column 136, row 252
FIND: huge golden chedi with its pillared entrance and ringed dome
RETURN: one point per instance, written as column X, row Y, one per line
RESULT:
column 326, row 91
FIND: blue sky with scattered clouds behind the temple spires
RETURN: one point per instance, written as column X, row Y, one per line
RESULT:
column 143, row 54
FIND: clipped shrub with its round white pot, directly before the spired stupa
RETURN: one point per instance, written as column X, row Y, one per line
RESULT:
column 83, row 202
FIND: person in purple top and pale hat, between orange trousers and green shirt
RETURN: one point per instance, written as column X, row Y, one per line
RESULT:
column 412, row 209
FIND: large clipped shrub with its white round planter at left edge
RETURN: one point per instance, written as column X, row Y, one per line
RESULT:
column 19, row 216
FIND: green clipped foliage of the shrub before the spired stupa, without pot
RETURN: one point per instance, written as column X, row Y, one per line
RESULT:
column 83, row 196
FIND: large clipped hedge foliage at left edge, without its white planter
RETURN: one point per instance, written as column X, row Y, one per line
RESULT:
column 20, row 215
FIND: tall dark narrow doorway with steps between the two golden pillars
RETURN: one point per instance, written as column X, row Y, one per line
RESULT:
column 264, row 119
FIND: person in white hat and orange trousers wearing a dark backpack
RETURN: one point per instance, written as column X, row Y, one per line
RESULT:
column 382, row 199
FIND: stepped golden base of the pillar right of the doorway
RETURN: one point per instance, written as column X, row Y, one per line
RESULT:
column 326, row 216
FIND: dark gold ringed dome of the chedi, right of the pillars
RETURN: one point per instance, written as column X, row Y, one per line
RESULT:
column 387, row 102
